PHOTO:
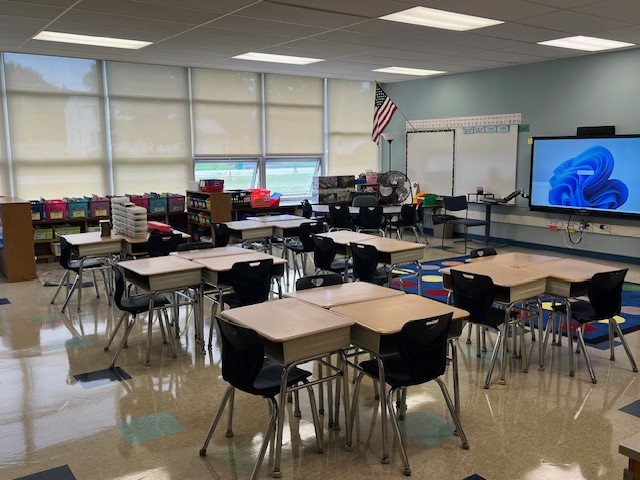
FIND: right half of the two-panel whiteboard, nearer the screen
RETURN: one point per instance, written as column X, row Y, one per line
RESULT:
column 485, row 160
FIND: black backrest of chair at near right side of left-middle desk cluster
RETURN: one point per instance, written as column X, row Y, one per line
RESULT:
column 251, row 281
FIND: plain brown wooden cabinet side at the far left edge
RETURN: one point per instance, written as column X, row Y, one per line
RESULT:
column 17, row 257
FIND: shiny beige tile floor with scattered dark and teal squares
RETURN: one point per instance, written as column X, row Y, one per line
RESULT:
column 59, row 424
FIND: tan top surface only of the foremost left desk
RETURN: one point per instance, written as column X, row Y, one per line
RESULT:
column 286, row 319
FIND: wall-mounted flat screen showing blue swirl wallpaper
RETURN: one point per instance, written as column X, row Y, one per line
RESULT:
column 586, row 175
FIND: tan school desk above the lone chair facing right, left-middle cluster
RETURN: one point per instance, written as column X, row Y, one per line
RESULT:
column 164, row 274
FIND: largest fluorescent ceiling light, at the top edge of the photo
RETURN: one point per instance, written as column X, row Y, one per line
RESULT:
column 430, row 17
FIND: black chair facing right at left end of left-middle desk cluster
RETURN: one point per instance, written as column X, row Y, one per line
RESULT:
column 133, row 306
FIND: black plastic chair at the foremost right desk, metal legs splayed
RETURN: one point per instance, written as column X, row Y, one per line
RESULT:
column 421, row 358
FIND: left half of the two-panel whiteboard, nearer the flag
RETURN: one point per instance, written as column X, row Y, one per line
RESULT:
column 430, row 161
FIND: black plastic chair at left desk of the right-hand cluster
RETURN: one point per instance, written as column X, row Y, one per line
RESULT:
column 475, row 294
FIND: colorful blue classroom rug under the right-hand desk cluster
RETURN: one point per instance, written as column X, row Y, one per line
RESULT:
column 597, row 332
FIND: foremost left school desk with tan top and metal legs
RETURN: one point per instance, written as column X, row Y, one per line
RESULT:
column 296, row 332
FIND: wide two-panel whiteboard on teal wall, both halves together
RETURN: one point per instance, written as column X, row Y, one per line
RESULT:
column 474, row 159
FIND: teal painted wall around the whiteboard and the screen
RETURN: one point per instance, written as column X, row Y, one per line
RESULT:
column 554, row 98
